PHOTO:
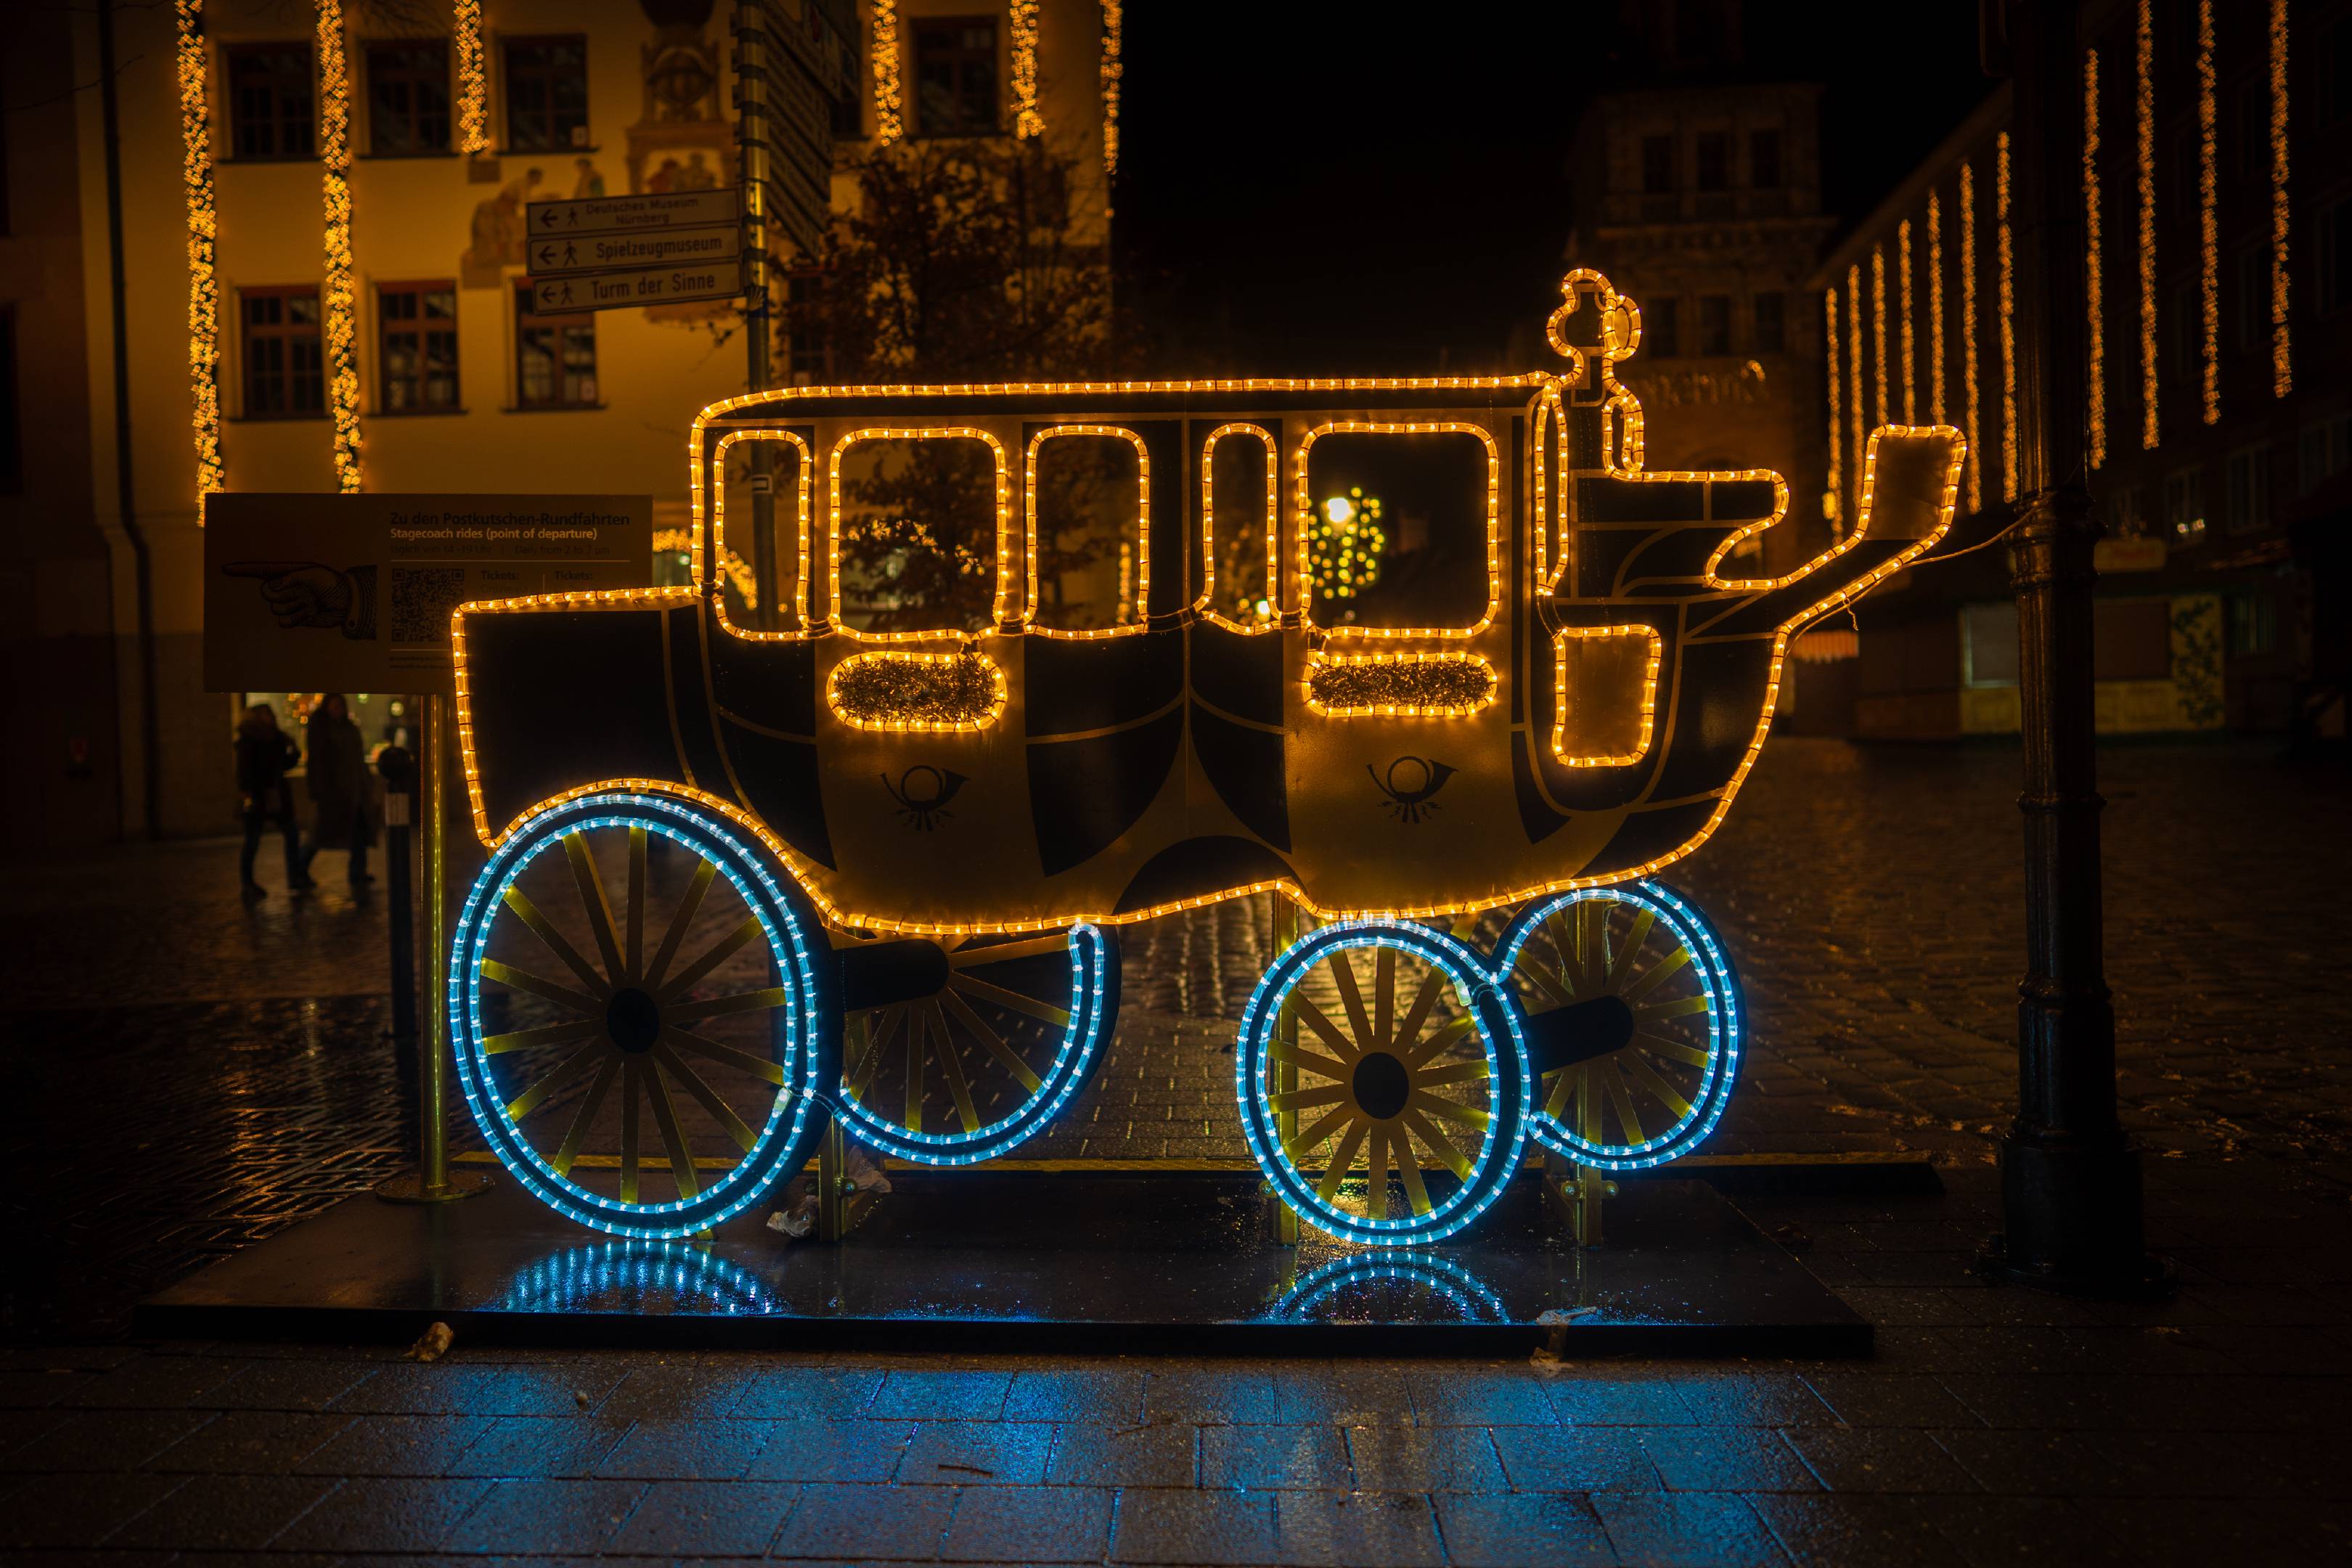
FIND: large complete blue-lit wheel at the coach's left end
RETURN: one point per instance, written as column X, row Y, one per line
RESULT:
column 643, row 1014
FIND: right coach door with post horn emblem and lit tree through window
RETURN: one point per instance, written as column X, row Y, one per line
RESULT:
column 1401, row 742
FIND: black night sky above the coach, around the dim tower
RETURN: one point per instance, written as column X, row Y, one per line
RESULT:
column 1387, row 189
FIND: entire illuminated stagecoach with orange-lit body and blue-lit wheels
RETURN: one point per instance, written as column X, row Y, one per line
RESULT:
column 1107, row 779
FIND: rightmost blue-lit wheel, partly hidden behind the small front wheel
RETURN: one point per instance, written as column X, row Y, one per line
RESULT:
column 1633, row 1024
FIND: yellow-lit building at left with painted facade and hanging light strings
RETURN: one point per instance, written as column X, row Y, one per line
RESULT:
column 171, row 267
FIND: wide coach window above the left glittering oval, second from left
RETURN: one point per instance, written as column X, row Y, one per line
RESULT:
column 916, row 535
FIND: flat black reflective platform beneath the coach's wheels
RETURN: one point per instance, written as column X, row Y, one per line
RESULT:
column 1031, row 1261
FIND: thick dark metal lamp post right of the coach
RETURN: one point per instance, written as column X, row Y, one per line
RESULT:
column 2071, row 1181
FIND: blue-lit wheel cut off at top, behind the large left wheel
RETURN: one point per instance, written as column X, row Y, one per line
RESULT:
column 980, row 1045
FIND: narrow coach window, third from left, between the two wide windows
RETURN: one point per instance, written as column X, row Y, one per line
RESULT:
column 1088, row 495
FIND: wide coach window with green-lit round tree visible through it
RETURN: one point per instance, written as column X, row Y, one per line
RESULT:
column 1398, row 530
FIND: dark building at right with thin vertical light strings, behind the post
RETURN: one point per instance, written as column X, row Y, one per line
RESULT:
column 2219, row 283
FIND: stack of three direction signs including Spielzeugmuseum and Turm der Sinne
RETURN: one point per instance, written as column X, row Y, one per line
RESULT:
column 615, row 253
